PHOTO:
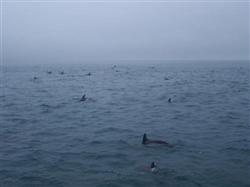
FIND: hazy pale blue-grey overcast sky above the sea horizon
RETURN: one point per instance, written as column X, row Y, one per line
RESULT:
column 79, row 32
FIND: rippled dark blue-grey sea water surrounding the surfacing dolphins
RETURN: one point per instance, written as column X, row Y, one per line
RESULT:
column 49, row 138
